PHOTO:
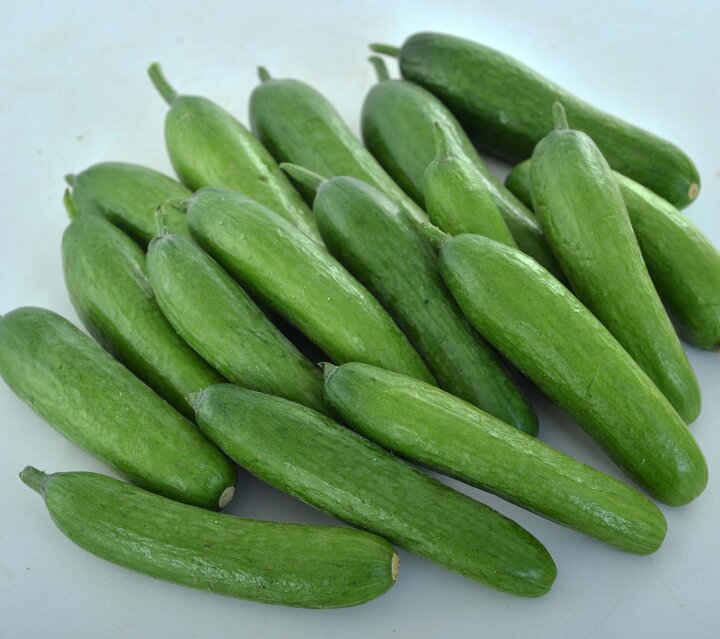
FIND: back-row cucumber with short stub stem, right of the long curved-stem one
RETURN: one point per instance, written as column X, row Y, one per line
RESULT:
column 298, row 124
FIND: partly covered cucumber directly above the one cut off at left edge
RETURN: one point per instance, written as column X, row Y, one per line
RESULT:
column 107, row 280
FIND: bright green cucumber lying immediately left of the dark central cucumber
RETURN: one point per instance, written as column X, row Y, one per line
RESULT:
column 299, row 281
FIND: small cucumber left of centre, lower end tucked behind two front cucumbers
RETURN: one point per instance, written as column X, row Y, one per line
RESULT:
column 219, row 320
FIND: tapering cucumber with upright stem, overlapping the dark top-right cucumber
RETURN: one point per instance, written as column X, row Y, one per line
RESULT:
column 586, row 223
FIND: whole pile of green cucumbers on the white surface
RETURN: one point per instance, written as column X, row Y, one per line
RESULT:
column 326, row 314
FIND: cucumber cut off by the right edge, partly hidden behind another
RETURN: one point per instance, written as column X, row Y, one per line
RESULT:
column 683, row 263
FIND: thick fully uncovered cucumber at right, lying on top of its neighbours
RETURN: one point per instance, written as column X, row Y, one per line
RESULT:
column 555, row 341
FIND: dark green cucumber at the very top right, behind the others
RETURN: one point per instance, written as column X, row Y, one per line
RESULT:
column 506, row 107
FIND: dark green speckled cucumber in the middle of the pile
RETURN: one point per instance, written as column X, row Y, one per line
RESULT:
column 372, row 238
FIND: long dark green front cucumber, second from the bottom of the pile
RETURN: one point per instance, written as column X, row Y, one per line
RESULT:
column 353, row 479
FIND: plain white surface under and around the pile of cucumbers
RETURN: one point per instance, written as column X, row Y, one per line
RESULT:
column 74, row 92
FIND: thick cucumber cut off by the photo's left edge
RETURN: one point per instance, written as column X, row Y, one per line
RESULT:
column 102, row 407
